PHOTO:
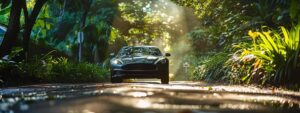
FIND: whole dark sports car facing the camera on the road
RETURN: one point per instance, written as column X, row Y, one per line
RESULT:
column 139, row 62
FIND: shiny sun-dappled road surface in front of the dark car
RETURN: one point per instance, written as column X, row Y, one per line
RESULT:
column 147, row 97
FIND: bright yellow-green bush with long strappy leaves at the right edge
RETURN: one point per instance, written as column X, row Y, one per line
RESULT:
column 278, row 53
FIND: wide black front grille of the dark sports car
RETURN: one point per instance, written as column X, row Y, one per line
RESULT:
column 139, row 67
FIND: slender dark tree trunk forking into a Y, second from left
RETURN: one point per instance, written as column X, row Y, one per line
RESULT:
column 29, row 23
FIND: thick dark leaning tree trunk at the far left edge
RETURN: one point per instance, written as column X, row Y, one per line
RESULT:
column 13, row 29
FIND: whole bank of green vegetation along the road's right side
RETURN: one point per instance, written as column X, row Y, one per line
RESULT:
column 250, row 42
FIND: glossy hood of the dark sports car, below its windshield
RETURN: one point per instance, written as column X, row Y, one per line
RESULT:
column 140, row 59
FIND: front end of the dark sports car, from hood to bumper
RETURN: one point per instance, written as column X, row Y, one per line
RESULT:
column 131, row 68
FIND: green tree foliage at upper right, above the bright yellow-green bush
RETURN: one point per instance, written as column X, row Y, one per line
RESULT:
column 223, row 22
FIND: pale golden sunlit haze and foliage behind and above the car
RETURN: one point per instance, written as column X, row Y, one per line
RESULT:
column 161, row 23
